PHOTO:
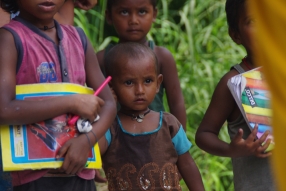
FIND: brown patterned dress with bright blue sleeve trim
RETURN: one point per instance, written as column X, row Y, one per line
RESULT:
column 145, row 161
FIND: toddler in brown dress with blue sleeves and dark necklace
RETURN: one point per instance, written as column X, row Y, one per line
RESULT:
column 147, row 146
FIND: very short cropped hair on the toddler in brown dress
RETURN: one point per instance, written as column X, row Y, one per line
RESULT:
column 123, row 51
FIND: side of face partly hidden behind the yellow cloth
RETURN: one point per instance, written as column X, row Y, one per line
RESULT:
column 246, row 26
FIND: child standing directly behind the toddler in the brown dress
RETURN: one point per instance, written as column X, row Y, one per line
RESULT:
column 132, row 20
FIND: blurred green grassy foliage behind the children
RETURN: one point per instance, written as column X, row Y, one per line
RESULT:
column 196, row 33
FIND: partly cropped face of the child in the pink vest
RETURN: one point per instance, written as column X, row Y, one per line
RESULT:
column 38, row 11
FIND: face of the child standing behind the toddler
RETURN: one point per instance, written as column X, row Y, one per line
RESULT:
column 132, row 19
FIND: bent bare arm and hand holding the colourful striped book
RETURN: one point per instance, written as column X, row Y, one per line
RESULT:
column 221, row 108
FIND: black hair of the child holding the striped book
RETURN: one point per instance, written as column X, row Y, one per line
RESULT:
column 233, row 10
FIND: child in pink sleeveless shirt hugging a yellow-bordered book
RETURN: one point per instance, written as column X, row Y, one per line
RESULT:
column 34, row 48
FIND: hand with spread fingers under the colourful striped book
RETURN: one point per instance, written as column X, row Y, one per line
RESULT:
column 250, row 146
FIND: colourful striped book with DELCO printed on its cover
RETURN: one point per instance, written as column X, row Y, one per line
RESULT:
column 251, row 94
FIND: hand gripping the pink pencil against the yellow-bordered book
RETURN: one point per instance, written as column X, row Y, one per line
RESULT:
column 87, row 106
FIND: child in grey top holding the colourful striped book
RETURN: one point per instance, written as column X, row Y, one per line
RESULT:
column 251, row 166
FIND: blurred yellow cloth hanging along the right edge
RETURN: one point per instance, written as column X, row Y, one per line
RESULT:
column 270, row 51
